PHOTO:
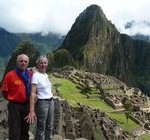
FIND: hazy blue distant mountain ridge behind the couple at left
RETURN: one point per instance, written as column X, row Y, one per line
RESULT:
column 9, row 41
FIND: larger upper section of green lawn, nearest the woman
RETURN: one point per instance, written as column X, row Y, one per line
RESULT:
column 69, row 92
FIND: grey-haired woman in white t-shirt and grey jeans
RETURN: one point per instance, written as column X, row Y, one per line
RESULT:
column 44, row 106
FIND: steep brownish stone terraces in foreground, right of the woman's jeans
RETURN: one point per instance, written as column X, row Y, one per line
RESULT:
column 84, row 122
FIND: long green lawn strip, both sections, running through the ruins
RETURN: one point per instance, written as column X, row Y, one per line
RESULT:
column 68, row 91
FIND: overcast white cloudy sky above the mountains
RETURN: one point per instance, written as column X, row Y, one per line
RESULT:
column 59, row 15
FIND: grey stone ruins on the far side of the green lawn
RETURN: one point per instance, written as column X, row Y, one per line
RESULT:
column 113, row 93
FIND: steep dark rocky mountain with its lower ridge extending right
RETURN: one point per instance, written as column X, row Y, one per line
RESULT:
column 95, row 44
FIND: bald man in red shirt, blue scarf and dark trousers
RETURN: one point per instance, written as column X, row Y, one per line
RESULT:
column 16, row 89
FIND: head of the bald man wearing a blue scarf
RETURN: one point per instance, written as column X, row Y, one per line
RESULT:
column 22, row 62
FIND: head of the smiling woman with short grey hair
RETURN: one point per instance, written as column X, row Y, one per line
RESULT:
column 42, row 65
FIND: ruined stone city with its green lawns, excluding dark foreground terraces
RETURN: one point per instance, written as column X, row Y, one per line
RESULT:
column 109, row 95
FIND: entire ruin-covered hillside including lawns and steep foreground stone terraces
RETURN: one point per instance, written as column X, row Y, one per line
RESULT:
column 93, row 106
